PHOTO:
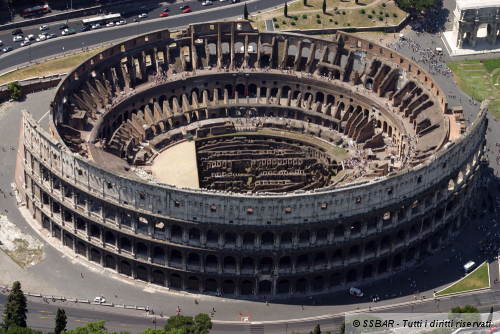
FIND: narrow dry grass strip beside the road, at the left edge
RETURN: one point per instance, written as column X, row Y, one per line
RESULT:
column 61, row 65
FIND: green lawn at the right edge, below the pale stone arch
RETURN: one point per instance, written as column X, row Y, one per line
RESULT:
column 480, row 77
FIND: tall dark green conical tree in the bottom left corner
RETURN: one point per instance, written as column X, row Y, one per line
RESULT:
column 15, row 309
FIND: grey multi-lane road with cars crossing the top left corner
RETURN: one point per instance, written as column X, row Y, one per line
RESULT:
column 218, row 11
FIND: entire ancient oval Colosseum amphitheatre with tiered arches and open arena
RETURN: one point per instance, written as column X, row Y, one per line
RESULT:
column 223, row 158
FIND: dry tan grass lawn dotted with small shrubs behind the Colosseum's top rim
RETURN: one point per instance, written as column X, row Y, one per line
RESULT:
column 342, row 18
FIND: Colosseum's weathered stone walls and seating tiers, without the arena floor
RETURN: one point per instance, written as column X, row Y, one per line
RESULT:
column 249, row 243
